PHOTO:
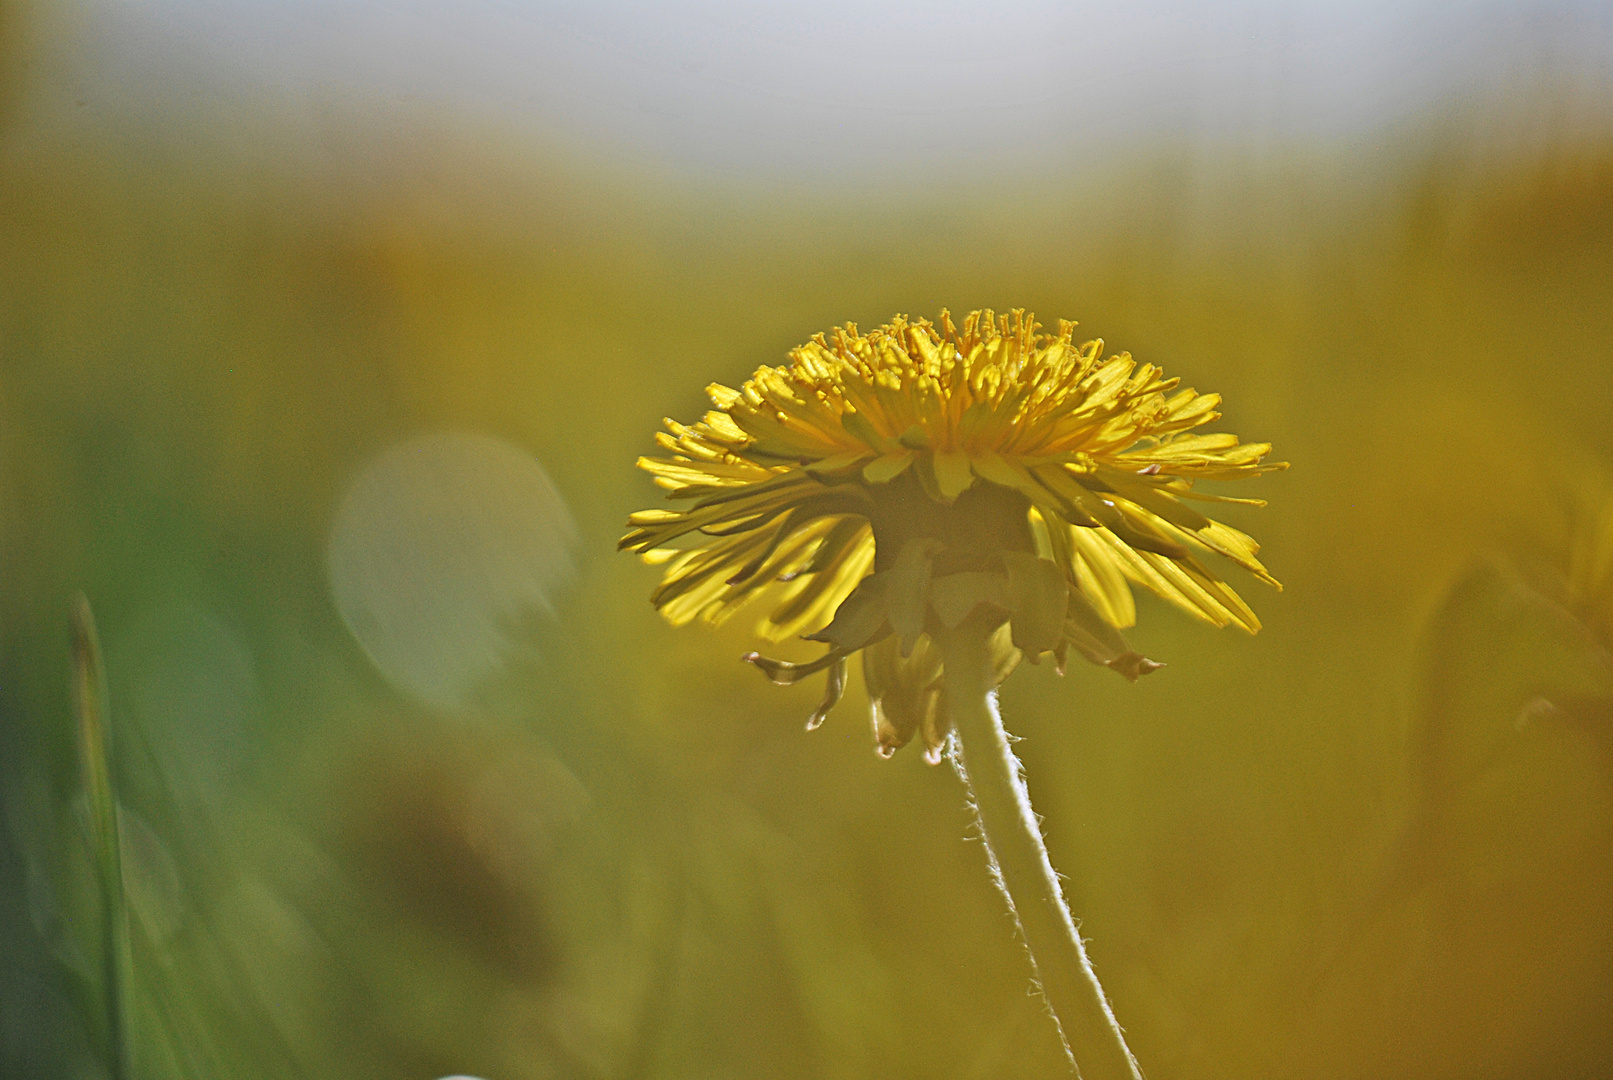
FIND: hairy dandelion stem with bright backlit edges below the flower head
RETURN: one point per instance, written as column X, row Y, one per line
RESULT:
column 1014, row 842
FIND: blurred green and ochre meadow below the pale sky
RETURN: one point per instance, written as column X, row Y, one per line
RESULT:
column 627, row 860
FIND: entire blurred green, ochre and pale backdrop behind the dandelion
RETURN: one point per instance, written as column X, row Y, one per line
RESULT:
column 330, row 333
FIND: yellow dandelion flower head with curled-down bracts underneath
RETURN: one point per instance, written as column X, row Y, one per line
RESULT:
column 882, row 488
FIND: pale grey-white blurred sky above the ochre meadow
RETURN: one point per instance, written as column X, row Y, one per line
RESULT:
column 849, row 88
